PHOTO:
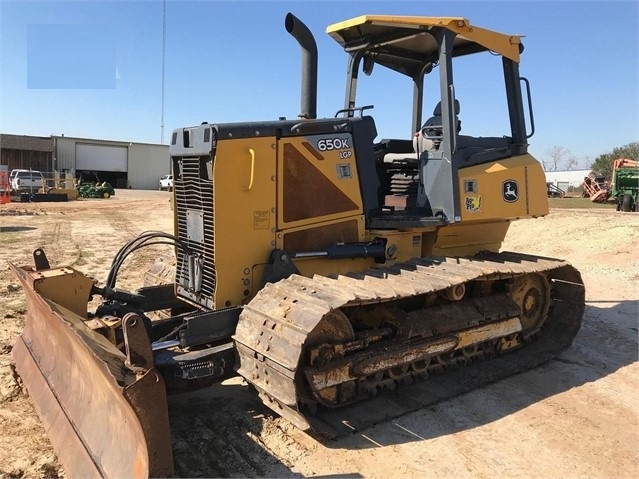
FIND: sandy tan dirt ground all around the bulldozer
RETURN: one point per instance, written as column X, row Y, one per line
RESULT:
column 576, row 416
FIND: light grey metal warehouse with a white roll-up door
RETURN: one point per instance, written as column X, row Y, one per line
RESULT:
column 123, row 164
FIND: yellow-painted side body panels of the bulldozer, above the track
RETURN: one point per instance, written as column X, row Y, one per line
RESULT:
column 248, row 202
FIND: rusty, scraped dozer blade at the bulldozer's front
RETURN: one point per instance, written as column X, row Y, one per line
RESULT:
column 105, row 412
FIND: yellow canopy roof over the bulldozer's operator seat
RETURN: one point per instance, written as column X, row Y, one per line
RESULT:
column 405, row 44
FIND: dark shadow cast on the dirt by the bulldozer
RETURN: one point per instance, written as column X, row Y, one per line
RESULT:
column 217, row 431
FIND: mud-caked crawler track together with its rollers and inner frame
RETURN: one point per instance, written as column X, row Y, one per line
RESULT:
column 309, row 345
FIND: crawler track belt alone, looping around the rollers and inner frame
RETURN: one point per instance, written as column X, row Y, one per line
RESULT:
column 274, row 325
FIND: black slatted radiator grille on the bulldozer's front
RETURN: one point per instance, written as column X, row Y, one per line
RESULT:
column 193, row 183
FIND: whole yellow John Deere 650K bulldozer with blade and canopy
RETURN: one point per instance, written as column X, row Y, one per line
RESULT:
column 324, row 266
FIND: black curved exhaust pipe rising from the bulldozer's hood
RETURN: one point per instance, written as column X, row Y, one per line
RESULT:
column 304, row 37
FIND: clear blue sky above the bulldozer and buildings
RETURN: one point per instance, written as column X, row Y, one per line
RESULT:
column 93, row 68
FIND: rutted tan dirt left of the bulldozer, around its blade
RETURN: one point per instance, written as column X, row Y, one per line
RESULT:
column 77, row 234
